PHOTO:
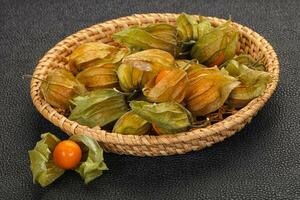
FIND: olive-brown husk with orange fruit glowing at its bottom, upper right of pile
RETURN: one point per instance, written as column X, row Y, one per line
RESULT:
column 217, row 46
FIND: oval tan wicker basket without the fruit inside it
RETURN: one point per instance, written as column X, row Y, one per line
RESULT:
column 250, row 42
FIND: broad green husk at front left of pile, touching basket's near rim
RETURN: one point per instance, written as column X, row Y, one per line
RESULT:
column 98, row 107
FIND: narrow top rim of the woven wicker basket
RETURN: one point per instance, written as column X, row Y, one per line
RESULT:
column 71, row 127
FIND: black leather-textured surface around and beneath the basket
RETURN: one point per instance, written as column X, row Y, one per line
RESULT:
column 262, row 161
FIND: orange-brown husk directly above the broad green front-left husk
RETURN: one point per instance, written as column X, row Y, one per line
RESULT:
column 104, row 76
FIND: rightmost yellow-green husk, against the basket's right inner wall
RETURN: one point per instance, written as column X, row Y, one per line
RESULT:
column 253, row 83
